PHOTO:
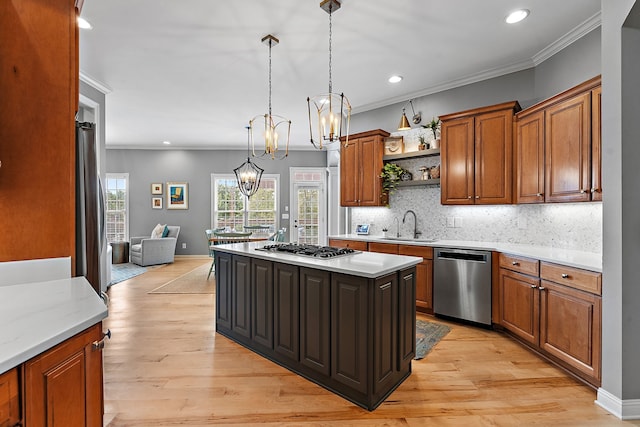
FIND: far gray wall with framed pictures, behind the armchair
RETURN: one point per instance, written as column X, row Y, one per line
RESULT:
column 194, row 167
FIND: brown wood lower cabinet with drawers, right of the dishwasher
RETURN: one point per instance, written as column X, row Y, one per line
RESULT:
column 556, row 310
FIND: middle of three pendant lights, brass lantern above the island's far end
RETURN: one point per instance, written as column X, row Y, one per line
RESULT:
column 272, row 123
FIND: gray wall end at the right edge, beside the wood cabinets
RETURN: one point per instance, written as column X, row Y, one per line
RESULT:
column 620, row 159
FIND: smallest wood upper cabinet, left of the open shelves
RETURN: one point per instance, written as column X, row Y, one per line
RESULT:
column 360, row 167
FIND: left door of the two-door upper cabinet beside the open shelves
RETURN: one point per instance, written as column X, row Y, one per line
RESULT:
column 457, row 157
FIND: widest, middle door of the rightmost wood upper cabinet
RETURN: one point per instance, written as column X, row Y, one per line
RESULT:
column 568, row 150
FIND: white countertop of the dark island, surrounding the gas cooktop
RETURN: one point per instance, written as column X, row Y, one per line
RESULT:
column 363, row 264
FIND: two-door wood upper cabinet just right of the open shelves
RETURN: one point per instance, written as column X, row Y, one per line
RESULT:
column 477, row 155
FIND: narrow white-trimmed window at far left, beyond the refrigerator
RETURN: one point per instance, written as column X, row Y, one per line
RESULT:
column 117, row 217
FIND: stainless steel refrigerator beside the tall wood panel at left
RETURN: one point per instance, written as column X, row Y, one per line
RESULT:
column 90, row 210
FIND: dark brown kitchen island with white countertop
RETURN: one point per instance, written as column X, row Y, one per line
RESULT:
column 346, row 323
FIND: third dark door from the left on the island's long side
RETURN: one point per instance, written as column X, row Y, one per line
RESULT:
column 262, row 302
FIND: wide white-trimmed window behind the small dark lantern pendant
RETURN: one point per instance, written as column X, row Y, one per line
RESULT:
column 232, row 210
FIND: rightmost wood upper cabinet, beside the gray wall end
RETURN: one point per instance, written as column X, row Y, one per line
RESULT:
column 558, row 153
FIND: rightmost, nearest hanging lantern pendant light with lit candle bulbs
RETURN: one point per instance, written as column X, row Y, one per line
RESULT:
column 329, row 113
